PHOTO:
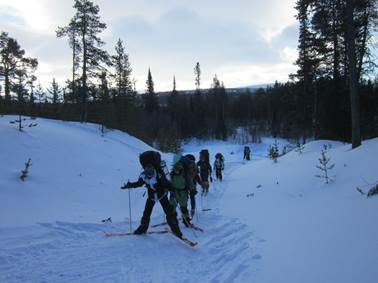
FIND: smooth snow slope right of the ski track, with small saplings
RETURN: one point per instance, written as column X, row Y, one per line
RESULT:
column 310, row 231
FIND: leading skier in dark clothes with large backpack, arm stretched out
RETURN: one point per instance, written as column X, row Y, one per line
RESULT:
column 154, row 179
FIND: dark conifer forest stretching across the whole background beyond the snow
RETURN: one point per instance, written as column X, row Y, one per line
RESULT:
column 331, row 96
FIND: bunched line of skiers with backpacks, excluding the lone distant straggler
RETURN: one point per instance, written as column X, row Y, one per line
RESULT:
column 181, row 184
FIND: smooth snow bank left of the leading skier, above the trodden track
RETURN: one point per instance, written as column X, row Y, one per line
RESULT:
column 75, row 173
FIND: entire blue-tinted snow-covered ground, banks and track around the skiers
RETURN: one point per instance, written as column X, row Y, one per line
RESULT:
column 269, row 222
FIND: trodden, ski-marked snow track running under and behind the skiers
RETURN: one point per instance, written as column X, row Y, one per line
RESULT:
column 79, row 252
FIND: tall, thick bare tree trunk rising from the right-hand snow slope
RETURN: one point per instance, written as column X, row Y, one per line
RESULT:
column 353, row 80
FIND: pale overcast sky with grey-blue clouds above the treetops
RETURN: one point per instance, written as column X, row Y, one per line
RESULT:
column 244, row 42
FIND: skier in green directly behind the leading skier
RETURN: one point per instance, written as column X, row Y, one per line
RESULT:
column 179, row 192
